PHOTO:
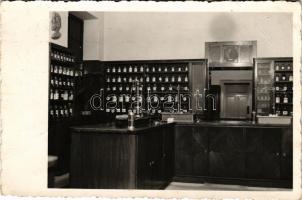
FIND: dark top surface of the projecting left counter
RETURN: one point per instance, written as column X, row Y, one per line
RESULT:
column 111, row 128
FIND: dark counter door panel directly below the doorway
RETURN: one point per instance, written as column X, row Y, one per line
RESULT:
column 226, row 157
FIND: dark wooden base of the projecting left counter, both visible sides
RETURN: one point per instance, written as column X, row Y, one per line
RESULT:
column 138, row 160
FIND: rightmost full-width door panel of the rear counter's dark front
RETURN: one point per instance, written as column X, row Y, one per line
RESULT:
column 263, row 153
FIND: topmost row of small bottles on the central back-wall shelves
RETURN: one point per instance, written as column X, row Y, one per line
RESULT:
column 141, row 68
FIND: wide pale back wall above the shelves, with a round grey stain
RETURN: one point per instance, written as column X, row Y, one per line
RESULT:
column 135, row 36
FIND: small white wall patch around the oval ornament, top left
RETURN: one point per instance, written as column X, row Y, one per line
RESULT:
column 63, row 40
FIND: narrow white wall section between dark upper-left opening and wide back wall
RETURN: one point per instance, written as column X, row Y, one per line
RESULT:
column 93, row 37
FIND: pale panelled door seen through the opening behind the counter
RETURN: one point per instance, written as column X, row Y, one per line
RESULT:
column 237, row 106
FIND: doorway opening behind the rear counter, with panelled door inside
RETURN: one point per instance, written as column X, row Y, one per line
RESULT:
column 236, row 99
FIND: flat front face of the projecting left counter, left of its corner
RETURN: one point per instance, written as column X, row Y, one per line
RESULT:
column 104, row 161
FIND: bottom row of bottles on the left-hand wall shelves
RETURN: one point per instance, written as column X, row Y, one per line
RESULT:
column 57, row 112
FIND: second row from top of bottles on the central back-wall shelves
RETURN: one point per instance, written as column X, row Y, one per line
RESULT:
column 148, row 79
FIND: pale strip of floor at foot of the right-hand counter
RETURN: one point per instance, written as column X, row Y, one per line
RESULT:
column 210, row 186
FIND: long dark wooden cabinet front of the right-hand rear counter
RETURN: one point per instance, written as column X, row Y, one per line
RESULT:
column 252, row 154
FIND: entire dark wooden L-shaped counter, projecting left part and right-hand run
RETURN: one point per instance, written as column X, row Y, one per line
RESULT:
column 149, row 157
